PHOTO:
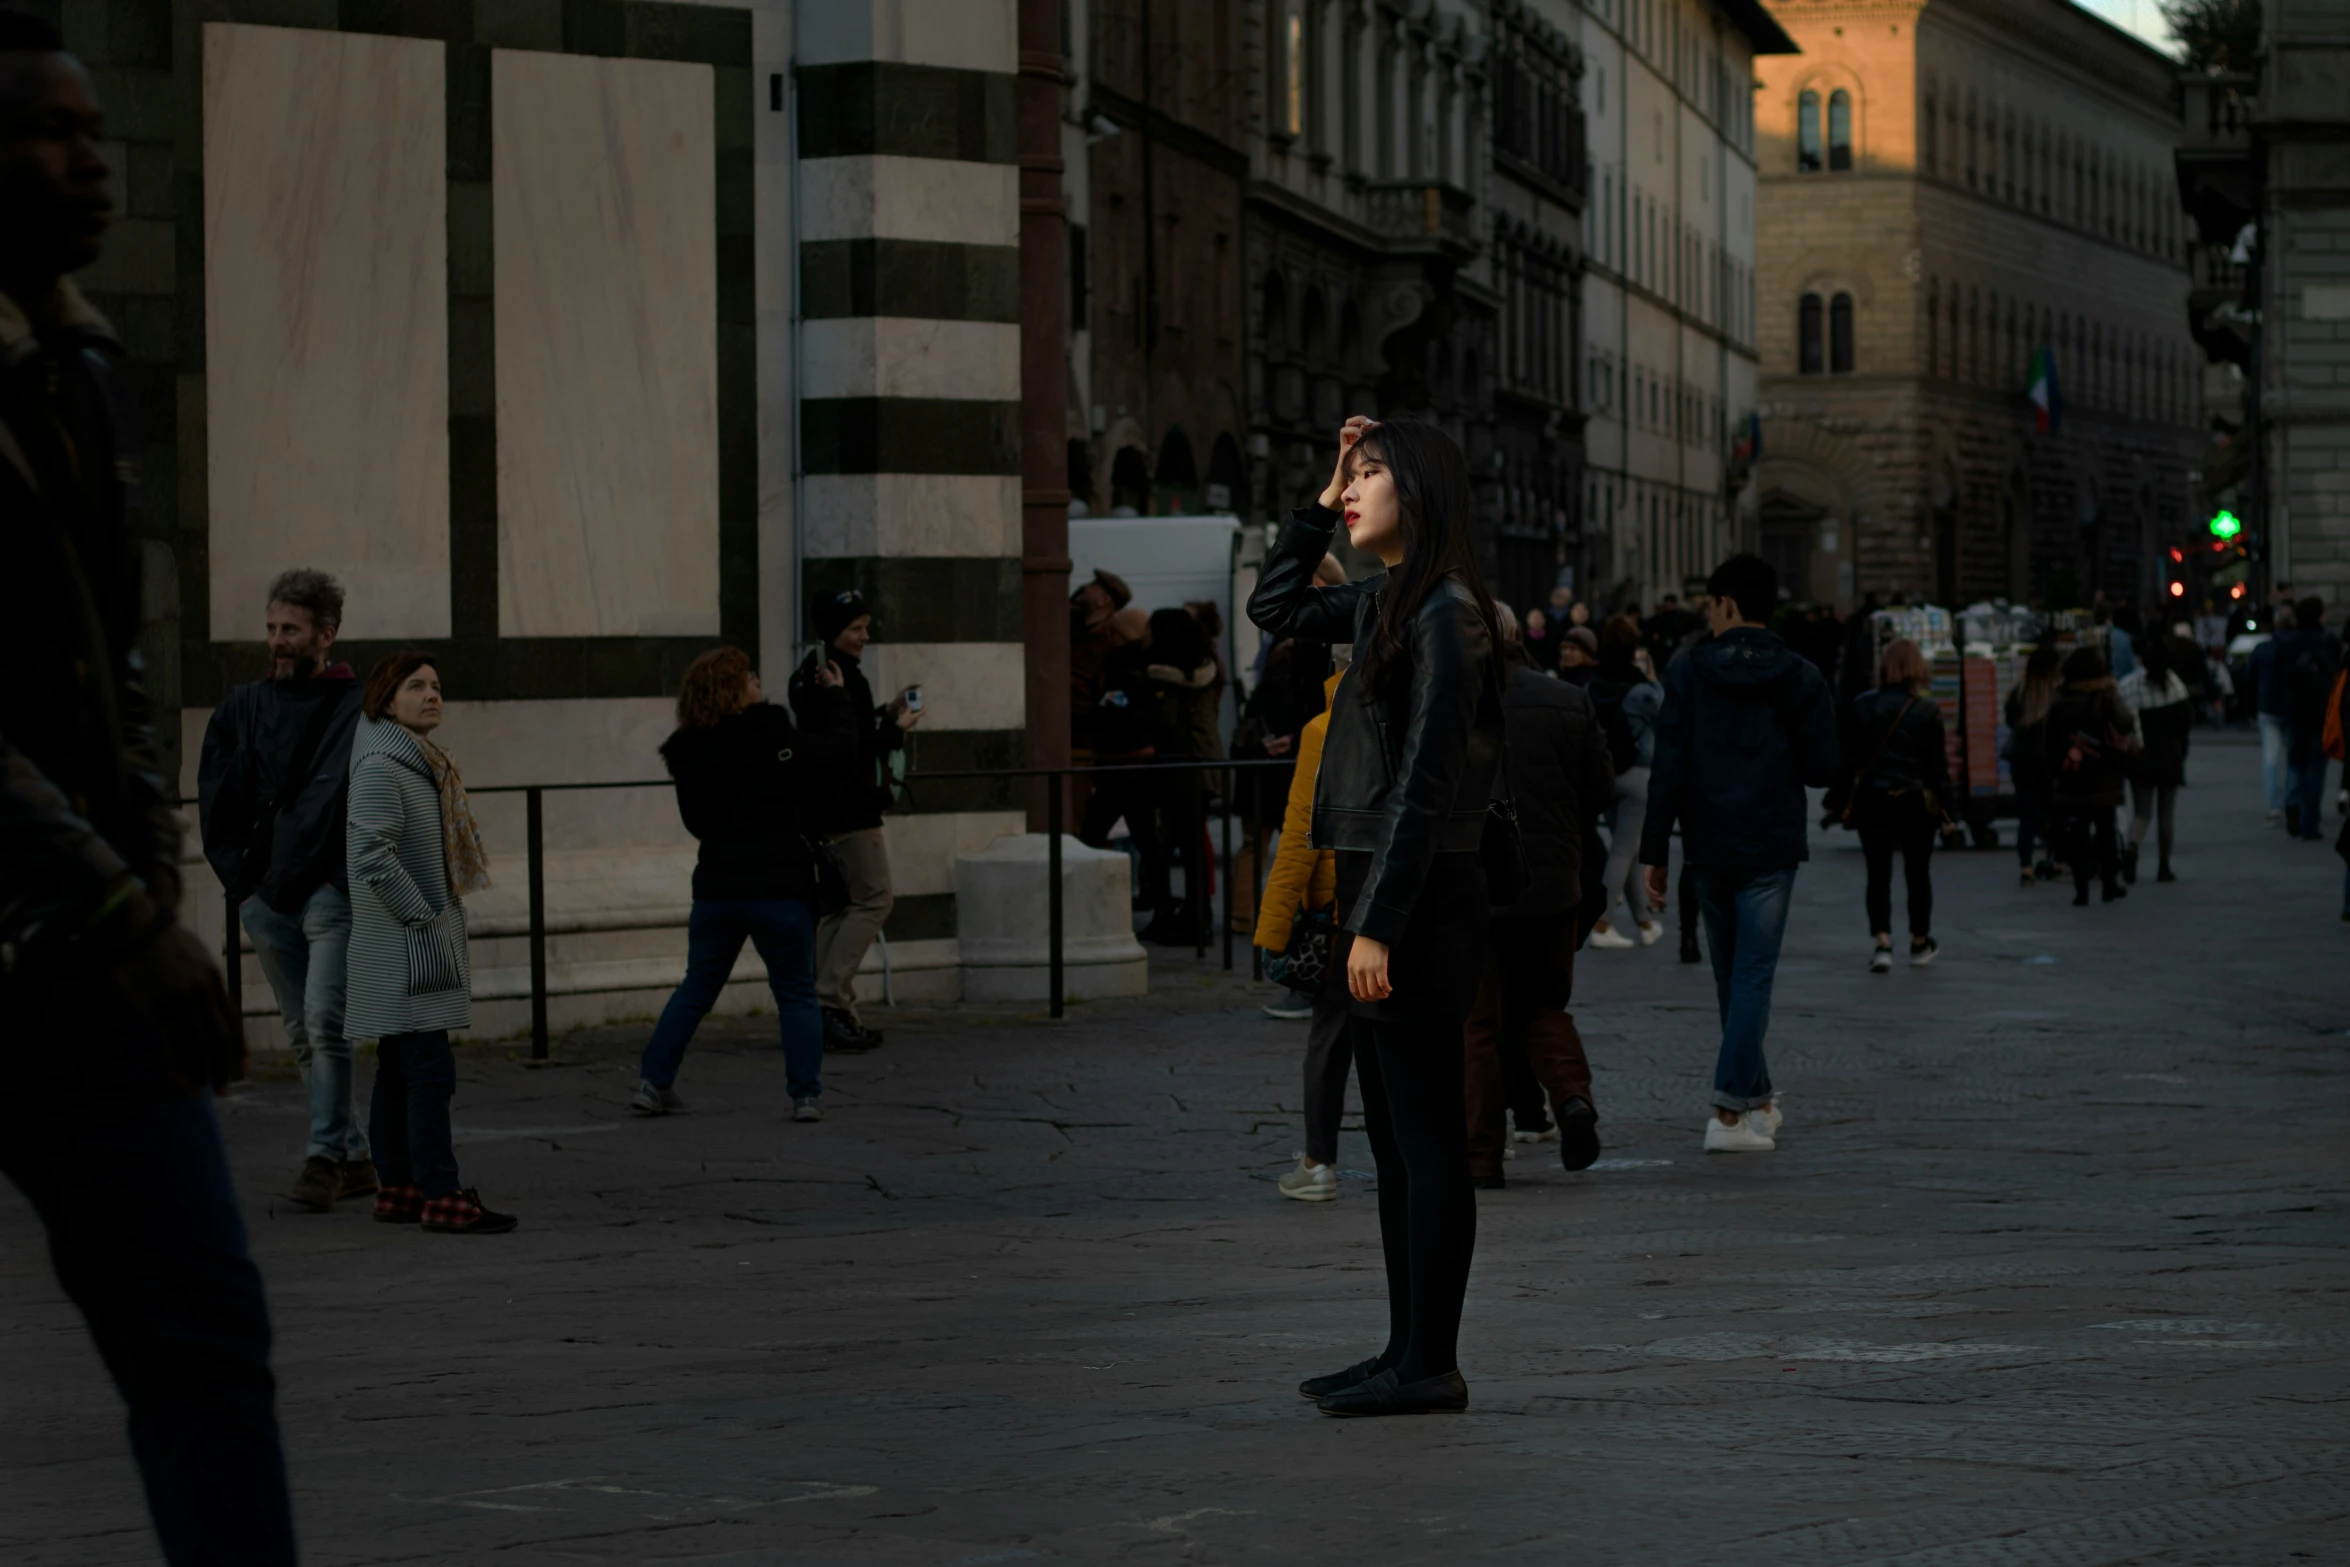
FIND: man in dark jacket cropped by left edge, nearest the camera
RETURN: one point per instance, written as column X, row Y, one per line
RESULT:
column 114, row 1018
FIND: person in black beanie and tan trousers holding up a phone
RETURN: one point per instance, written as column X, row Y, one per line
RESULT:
column 850, row 816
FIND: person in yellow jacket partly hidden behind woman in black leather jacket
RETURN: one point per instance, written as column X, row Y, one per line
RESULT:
column 1305, row 877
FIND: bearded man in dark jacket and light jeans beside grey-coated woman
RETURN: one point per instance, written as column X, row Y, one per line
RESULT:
column 271, row 793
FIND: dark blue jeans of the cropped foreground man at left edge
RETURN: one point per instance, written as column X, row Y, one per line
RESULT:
column 147, row 1239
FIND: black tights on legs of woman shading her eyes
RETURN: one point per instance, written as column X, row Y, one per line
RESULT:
column 1418, row 1127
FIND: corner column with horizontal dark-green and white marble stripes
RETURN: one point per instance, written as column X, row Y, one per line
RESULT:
column 911, row 417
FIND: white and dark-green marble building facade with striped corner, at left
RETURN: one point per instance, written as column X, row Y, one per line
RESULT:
column 572, row 370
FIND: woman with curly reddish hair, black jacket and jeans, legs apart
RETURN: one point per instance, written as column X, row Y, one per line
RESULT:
column 741, row 774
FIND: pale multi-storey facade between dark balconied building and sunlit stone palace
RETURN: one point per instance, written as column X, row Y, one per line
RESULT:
column 1670, row 288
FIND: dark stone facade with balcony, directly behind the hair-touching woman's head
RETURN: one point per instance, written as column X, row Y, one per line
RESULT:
column 1367, row 248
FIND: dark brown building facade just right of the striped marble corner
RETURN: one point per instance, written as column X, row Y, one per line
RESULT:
column 1157, row 274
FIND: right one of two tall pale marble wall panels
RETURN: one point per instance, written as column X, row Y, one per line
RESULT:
column 605, row 210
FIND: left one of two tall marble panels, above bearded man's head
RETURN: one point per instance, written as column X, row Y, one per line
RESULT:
column 328, row 323
